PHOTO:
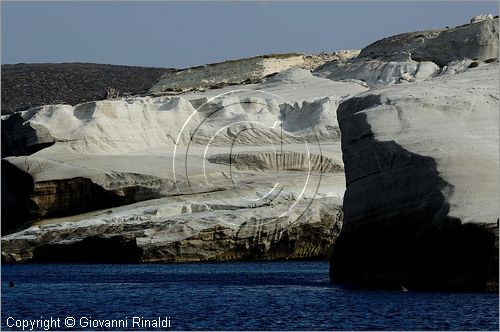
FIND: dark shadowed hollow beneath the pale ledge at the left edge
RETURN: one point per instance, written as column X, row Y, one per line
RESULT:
column 24, row 200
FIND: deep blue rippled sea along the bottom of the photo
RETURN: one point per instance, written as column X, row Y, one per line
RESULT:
column 230, row 296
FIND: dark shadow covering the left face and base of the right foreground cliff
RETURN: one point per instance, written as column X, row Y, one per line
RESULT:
column 396, row 229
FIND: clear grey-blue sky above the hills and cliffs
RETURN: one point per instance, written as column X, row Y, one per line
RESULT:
column 173, row 34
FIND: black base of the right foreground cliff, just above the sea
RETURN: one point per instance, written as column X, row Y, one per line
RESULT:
column 458, row 257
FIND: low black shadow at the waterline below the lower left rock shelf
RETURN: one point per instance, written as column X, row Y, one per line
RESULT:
column 92, row 249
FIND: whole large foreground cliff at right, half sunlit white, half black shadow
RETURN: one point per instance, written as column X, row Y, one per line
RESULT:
column 421, row 164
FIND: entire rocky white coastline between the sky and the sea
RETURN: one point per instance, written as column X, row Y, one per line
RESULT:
column 384, row 160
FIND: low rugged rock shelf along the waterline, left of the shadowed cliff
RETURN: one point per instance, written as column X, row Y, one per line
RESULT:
column 203, row 231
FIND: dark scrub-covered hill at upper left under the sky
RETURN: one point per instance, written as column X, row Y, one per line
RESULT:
column 30, row 85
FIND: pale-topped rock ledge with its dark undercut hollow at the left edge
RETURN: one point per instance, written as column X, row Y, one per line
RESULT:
column 35, row 188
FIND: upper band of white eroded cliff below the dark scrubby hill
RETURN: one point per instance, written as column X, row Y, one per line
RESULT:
column 139, row 123
